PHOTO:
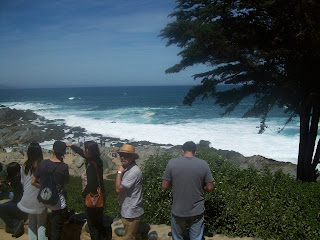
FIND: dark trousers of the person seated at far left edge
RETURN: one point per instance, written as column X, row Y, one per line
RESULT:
column 11, row 214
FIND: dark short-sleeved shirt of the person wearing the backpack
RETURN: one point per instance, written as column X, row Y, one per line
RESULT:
column 60, row 176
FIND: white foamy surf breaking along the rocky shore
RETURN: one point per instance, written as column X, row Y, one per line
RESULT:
column 236, row 134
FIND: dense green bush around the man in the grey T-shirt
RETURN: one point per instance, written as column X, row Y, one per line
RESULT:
column 246, row 202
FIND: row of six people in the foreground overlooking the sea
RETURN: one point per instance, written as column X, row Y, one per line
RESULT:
column 187, row 175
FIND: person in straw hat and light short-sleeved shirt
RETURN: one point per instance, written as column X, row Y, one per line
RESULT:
column 129, row 187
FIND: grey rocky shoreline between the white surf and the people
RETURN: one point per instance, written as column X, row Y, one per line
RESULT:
column 18, row 128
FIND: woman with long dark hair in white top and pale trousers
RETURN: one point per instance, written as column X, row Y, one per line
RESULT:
column 29, row 203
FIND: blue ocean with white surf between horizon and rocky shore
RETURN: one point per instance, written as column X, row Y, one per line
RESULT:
column 156, row 114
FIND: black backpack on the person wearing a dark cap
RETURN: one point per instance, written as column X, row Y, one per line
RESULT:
column 48, row 193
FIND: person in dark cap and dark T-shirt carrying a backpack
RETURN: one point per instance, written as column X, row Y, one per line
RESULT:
column 60, row 174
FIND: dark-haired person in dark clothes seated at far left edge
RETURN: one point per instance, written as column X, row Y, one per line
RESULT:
column 9, row 212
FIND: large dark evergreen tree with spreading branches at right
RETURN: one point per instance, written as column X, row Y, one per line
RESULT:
column 268, row 49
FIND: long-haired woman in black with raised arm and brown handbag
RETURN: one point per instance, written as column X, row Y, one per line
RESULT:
column 91, row 180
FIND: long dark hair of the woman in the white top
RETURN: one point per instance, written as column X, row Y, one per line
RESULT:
column 35, row 155
